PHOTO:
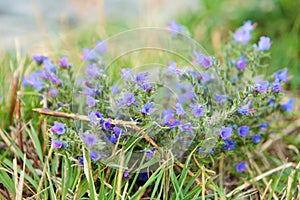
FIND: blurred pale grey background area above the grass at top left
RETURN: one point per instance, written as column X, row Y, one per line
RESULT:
column 27, row 20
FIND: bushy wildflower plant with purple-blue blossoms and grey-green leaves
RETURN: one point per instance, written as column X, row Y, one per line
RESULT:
column 185, row 106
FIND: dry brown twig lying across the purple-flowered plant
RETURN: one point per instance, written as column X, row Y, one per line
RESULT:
column 132, row 125
